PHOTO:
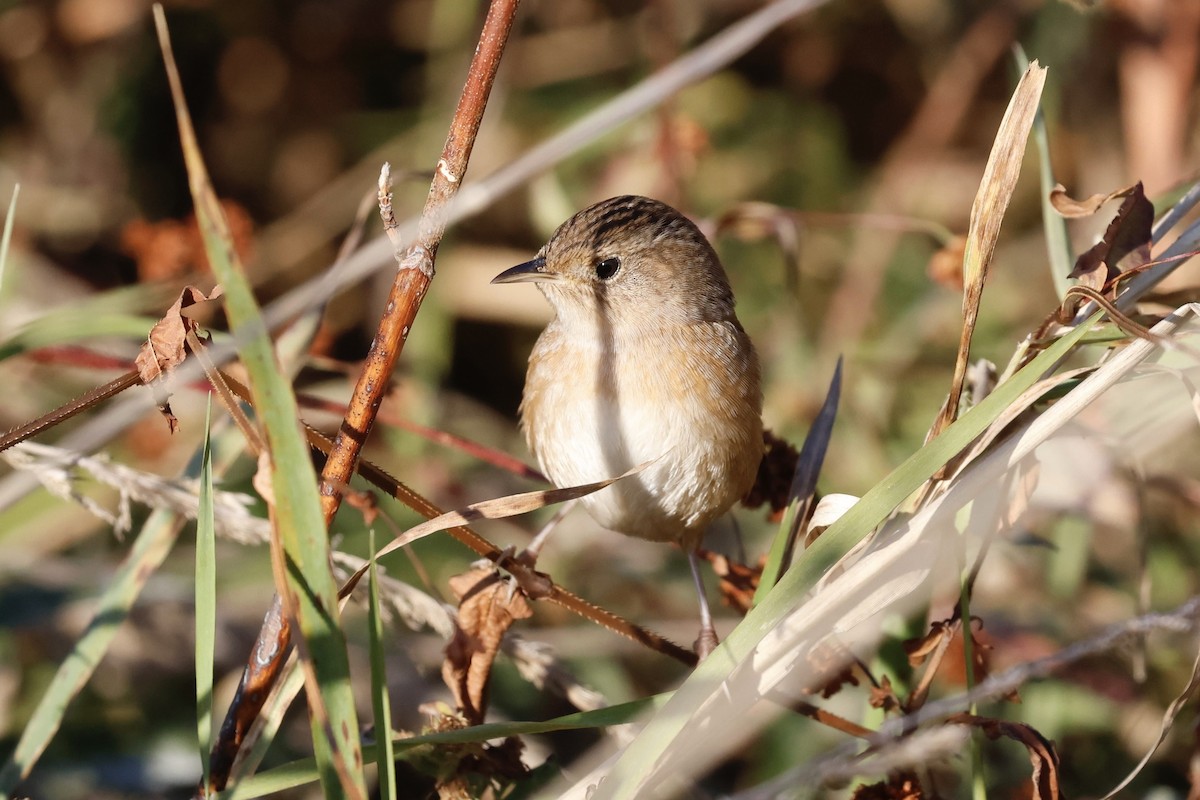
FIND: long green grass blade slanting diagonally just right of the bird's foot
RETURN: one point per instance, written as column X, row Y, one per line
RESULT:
column 639, row 760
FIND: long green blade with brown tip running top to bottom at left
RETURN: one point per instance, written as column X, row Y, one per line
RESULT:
column 311, row 593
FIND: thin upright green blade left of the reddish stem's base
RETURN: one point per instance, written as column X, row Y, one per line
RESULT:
column 206, row 601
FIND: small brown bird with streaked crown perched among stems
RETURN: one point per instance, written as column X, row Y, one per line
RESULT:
column 645, row 362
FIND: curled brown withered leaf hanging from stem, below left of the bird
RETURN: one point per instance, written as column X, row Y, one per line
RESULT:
column 488, row 607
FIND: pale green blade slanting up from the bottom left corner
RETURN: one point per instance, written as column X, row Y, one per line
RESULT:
column 152, row 546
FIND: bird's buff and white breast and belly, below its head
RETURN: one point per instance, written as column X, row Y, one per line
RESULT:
column 685, row 400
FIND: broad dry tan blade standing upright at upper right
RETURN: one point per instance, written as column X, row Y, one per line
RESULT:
column 987, row 215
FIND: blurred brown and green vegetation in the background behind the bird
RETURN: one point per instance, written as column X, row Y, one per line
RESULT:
column 866, row 125
